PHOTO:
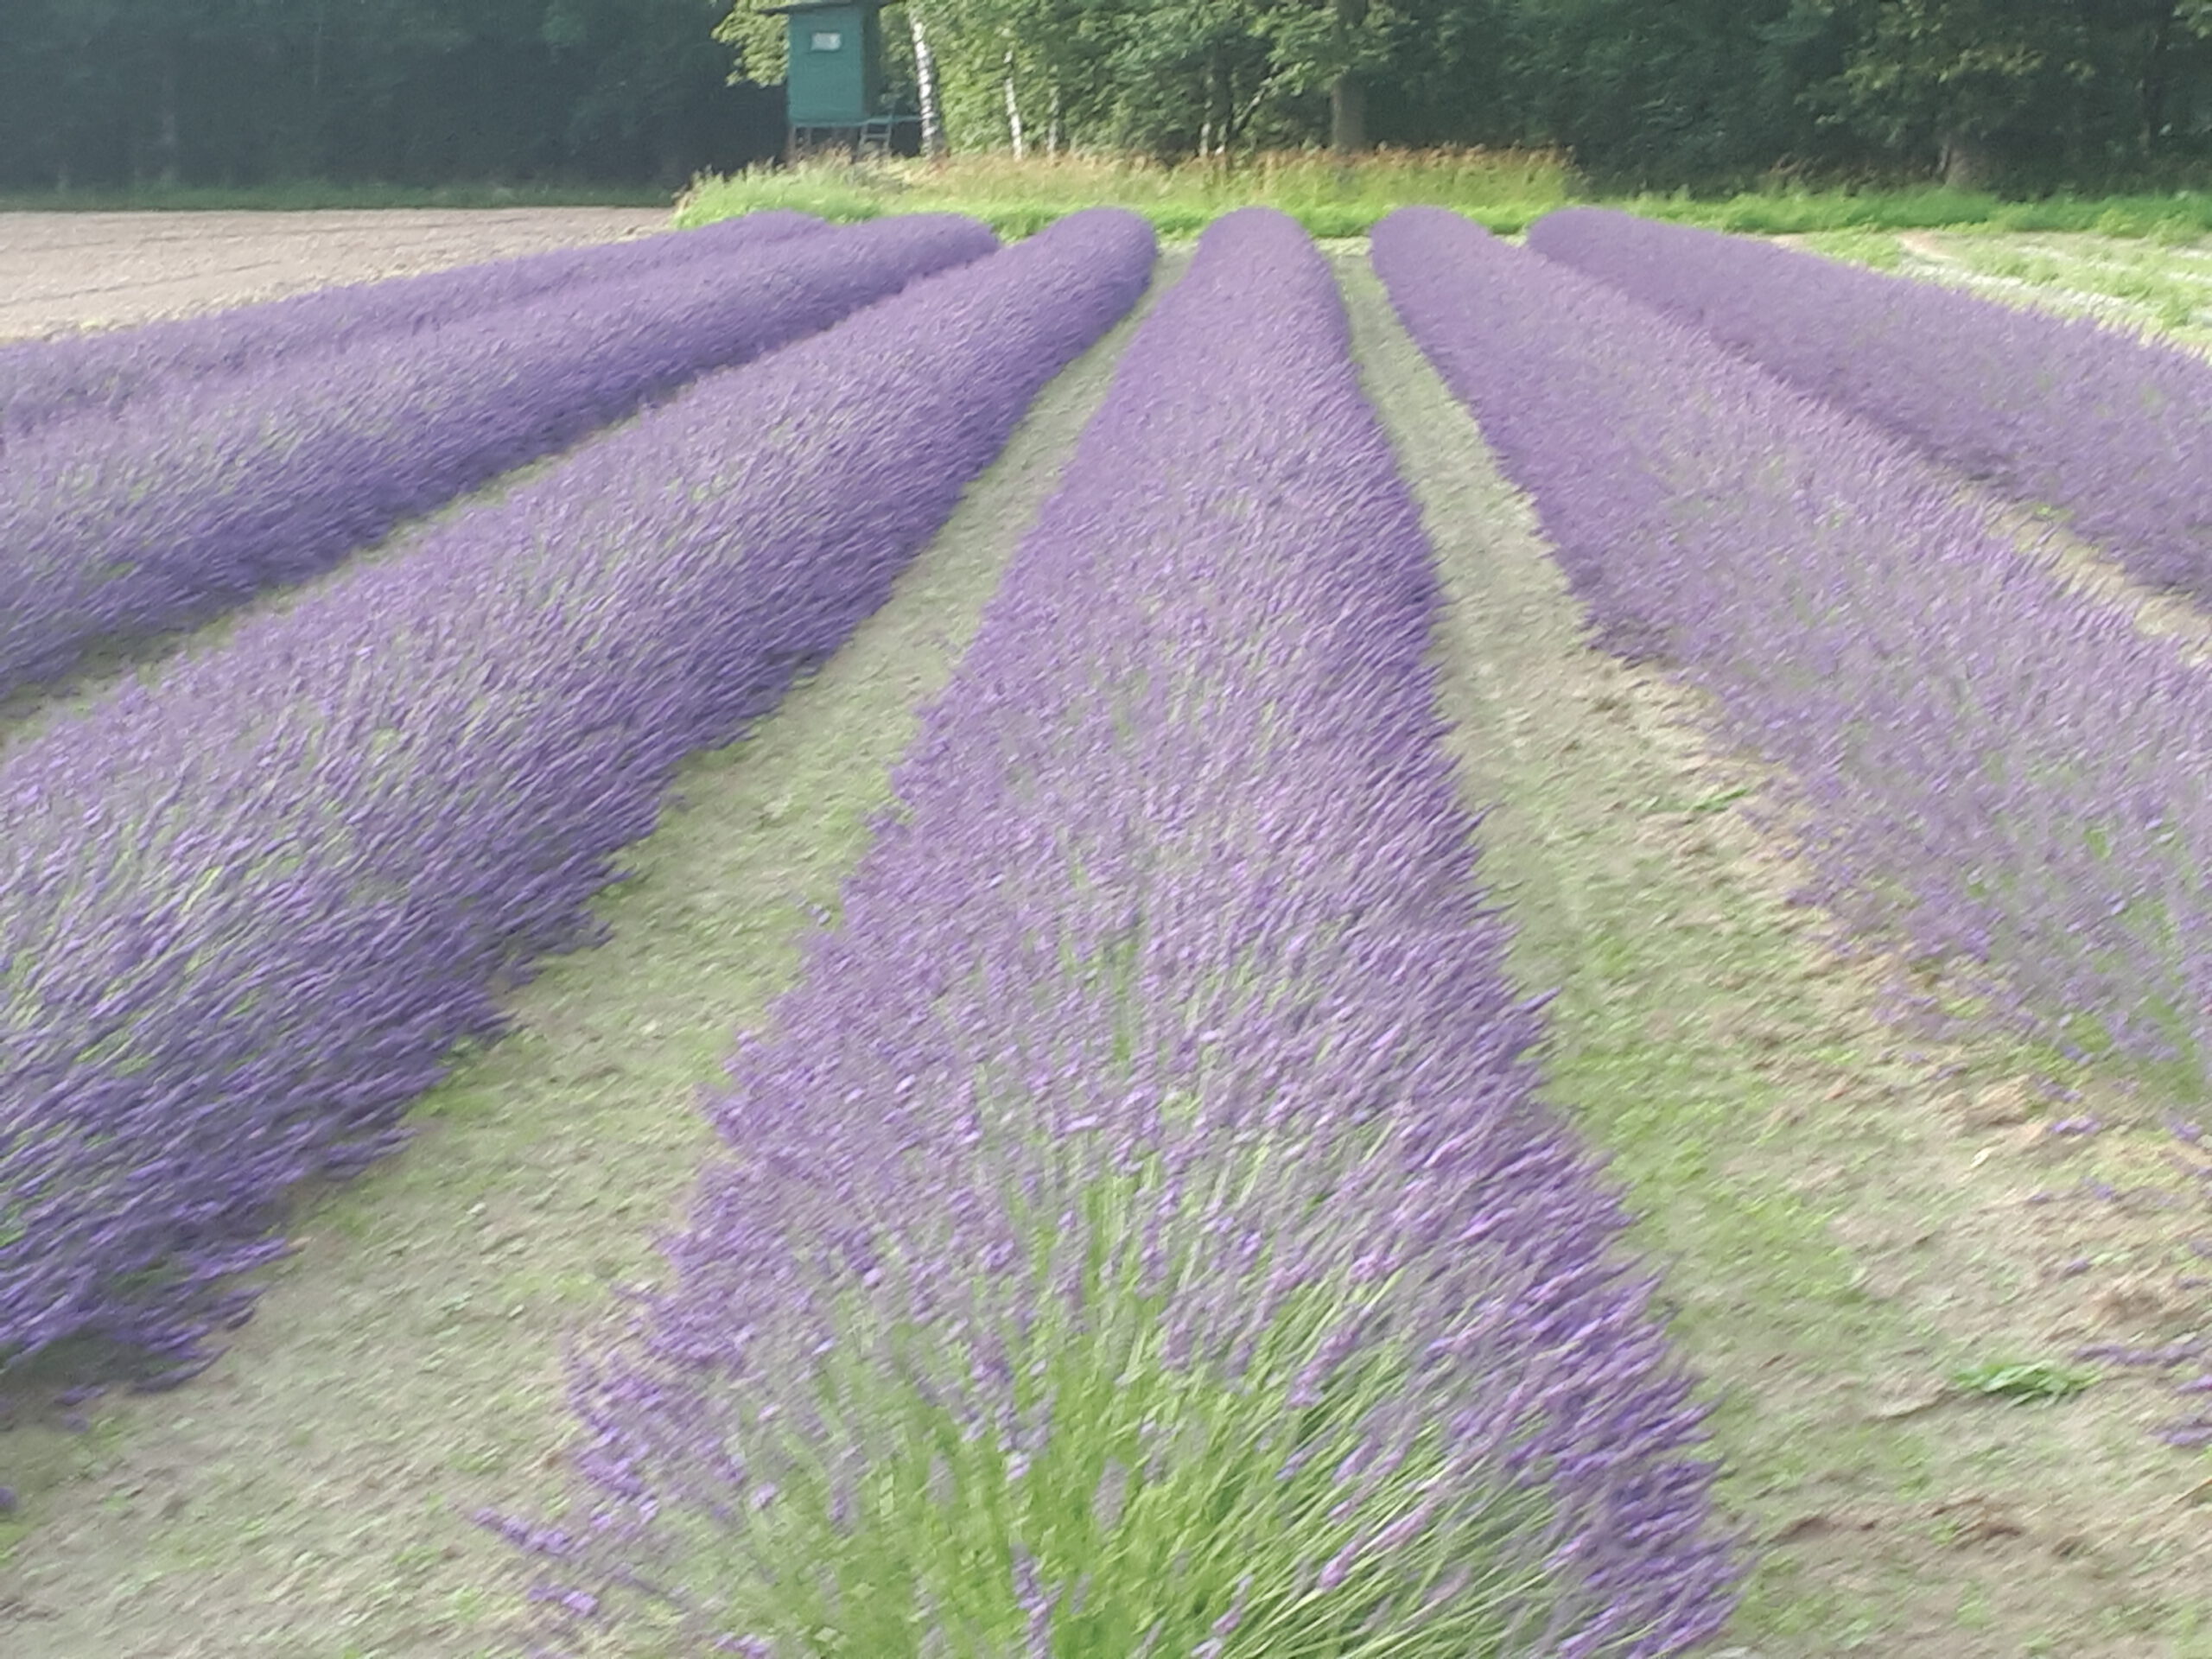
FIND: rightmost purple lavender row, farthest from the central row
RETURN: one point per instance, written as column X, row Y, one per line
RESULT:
column 2111, row 428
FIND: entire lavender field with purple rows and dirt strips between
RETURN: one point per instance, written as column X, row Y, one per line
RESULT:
column 1421, row 948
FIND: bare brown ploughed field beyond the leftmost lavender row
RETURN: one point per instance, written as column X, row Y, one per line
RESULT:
column 65, row 271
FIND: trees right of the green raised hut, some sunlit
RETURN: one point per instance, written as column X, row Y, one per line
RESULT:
column 1640, row 92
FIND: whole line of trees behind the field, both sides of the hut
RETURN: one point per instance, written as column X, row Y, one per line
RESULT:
column 647, row 92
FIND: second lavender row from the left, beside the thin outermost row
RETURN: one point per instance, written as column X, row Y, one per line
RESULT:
column 180, row 505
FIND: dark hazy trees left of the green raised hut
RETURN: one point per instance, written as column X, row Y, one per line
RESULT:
column 404, row 92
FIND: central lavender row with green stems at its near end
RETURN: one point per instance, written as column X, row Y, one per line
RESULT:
column 1140, row 1235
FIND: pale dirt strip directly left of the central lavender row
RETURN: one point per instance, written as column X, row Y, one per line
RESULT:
column 309, row 1496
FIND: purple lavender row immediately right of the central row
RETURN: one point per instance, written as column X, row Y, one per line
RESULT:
column 1994, row 766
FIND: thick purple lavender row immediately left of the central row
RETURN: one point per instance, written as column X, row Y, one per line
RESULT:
column 249, row 910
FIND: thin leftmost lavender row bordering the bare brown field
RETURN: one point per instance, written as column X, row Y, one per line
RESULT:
column 43, row 382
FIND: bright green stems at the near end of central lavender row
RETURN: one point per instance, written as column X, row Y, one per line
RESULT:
column 1156, row 1492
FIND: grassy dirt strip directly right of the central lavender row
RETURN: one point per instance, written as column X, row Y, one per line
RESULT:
column 1841, row 1211
